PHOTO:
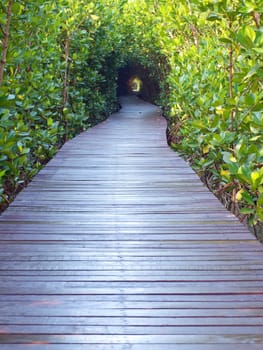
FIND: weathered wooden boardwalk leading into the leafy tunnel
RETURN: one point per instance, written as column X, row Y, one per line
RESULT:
column 117, row 245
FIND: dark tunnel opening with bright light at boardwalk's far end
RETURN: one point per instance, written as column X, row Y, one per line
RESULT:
column 135, row 79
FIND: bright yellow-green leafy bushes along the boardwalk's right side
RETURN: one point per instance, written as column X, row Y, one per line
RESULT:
column 208, row 57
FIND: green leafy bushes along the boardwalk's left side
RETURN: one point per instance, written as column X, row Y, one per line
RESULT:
column 57, row 80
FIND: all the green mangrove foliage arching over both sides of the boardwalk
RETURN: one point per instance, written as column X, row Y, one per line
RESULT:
column 59, row 68
